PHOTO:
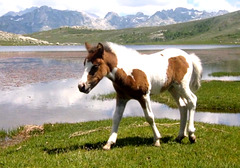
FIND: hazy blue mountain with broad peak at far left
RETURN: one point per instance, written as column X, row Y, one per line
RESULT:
column 41, row 19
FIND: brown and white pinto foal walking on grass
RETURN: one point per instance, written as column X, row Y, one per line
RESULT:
column 136, row 76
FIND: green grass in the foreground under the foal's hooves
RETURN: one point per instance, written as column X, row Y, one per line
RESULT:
column 216, row 146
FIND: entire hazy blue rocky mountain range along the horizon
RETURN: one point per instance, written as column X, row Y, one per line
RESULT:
column 45, row 18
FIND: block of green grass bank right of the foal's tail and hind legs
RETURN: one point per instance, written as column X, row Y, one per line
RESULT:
column 219, row 96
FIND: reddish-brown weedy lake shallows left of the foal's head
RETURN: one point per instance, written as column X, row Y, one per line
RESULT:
column 20, row 68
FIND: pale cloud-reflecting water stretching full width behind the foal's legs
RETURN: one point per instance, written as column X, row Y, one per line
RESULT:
column 60, row 101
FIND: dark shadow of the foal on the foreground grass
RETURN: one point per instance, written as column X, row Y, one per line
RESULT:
column 121, row 142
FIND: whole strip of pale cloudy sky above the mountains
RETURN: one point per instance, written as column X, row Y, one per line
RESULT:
column 122, row 7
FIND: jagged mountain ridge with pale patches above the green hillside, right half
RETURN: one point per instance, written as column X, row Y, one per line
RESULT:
column 164, row 17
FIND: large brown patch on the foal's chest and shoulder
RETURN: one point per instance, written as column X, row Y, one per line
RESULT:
column 133, row 86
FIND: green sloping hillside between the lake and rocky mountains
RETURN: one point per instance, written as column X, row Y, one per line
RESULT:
column 223, row 29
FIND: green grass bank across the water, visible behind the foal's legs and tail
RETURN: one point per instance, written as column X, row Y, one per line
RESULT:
column 214, row 96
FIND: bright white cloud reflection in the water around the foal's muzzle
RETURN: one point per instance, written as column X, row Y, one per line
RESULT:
column 50, row 95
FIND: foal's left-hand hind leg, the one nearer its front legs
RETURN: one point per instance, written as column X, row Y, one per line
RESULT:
column 183, row 114
